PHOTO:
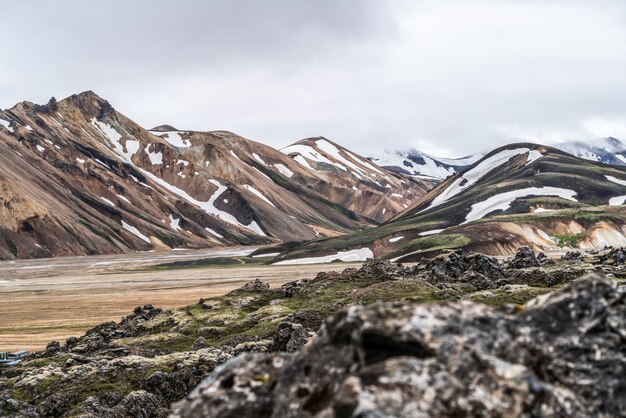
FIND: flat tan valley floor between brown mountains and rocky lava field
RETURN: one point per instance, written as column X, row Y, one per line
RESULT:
column 52, row 299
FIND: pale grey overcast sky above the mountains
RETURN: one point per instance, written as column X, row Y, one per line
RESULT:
column 446, row 77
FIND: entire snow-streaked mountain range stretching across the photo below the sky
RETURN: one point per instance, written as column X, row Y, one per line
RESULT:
column 77, row 177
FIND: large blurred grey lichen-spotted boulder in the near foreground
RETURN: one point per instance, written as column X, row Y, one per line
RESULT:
column 562, row 355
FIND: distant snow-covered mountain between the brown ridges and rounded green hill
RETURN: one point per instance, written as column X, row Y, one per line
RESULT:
column 416, row 163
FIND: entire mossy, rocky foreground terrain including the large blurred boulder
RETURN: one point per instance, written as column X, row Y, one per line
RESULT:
column 460, row 334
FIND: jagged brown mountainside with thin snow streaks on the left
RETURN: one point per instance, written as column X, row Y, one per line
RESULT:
column 78, row 177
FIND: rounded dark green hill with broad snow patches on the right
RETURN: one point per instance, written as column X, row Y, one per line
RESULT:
column 520, row 194
